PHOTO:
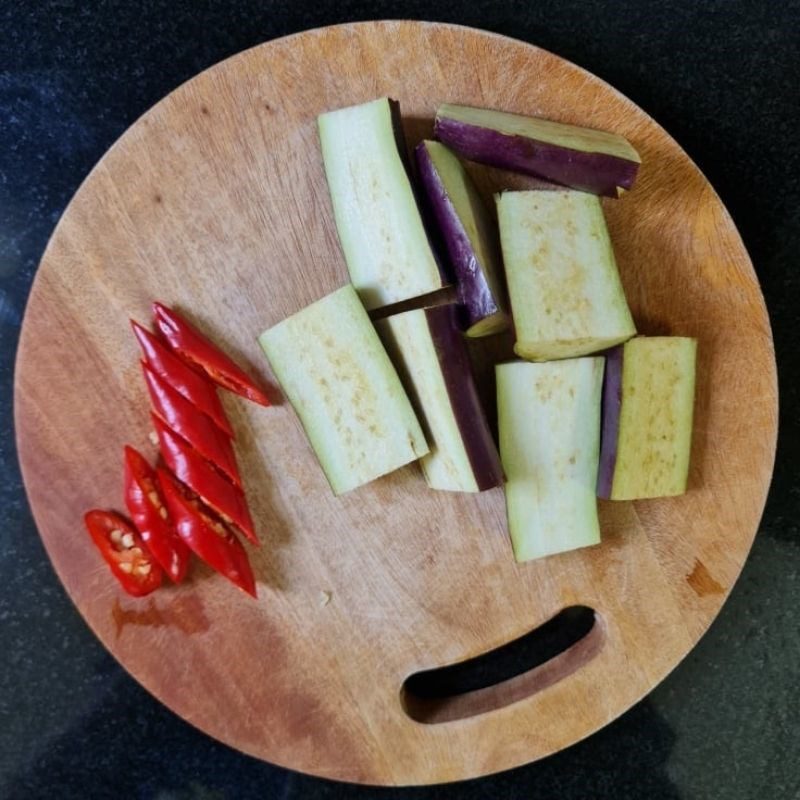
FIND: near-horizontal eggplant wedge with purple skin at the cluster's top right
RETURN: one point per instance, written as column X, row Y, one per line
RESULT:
column 582, row 158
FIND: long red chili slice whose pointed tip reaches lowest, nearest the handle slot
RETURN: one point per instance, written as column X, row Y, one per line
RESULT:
column 210, row 540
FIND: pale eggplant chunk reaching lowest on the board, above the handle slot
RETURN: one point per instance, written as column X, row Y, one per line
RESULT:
column 549, row 427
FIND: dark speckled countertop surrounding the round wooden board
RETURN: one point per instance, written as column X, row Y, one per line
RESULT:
column 722, row 79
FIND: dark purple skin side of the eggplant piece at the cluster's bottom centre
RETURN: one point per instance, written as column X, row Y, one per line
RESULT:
column 463, row 394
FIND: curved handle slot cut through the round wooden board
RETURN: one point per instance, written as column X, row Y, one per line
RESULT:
column 511, row 672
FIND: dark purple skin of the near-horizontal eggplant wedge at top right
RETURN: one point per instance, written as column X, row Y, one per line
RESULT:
column 599, row 173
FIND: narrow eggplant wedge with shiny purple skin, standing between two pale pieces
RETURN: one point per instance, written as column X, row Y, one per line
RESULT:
column 469, row 238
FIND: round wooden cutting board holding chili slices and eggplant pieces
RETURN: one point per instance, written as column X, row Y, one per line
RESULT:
column 215, row 202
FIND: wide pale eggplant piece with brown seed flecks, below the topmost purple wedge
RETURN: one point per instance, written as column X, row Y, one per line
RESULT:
column 566, row 295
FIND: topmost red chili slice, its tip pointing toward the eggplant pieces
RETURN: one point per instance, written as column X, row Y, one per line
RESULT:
column 189, row 343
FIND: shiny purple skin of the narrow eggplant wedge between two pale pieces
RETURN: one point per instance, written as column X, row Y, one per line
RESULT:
column 475, row 296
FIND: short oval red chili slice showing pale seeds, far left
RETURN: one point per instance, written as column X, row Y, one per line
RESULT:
column 124, row 551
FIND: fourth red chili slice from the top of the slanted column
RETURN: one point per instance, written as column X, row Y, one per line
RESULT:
column 213, row 489
